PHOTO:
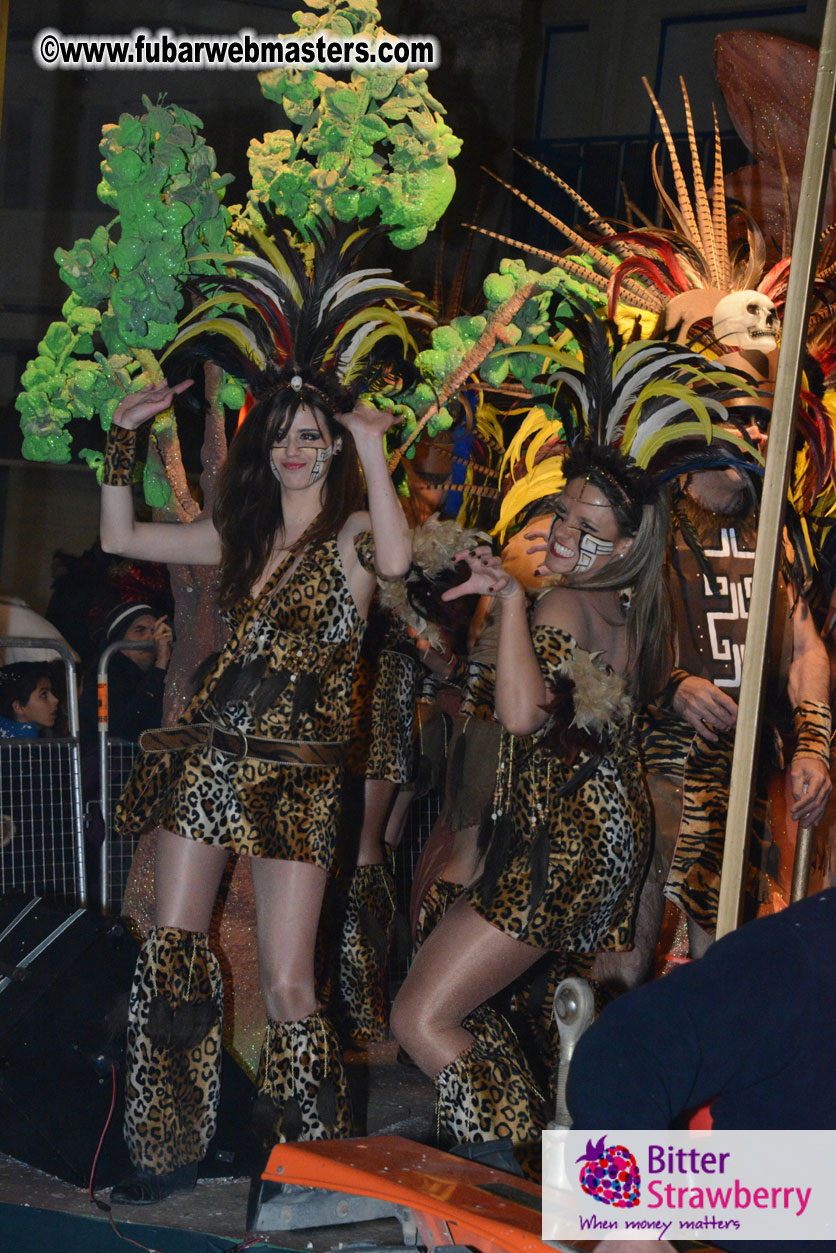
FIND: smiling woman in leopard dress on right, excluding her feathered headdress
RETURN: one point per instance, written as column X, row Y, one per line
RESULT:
column 572, row 824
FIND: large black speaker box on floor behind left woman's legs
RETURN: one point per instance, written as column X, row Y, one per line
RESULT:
column 65, row 983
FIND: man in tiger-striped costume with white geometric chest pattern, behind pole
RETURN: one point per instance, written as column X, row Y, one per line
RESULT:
column 689, row 740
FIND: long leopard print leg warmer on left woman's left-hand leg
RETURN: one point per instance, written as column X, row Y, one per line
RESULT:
column 175, row 1048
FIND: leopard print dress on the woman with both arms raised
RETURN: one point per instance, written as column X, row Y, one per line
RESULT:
column 310, row 632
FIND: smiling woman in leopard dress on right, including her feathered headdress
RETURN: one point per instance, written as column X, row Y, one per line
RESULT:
column 570, row 833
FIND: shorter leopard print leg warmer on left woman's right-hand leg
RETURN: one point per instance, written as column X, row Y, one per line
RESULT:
column 303, row 1088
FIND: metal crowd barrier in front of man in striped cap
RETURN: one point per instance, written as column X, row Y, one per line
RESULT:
column 116, row 761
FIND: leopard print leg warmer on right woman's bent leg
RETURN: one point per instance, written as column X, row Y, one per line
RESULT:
column 488, row 1093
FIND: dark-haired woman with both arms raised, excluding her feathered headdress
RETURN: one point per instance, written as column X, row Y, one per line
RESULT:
column 255, row 765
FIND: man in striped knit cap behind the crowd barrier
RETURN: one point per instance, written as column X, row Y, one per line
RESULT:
column 136, row 677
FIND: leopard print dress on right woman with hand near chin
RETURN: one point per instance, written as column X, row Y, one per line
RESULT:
column 598, row 838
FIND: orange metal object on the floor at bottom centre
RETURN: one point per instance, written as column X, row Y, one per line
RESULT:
column 453, row 1201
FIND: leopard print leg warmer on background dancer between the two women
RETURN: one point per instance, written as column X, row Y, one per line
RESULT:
column 364, row 953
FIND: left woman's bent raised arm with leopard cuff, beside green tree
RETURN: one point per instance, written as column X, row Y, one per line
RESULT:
column 196, row 544
